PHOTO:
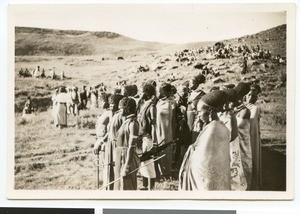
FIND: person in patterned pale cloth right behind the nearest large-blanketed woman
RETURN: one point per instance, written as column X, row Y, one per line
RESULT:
column 228, row 117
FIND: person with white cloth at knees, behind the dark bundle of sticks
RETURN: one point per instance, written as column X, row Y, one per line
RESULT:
column 146, row 115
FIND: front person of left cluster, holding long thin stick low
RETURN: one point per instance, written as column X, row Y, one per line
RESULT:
column 126, row 144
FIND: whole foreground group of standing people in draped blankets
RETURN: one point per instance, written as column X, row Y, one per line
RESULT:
column 209, row 161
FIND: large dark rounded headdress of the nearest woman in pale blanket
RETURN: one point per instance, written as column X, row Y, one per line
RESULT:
column 214, row 99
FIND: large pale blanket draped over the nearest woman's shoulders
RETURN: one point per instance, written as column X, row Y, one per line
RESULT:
column 206, row 165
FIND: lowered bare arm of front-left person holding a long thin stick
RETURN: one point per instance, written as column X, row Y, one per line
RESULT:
column 133, row 134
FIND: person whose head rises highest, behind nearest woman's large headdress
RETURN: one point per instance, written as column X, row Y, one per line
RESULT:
column 193, row 98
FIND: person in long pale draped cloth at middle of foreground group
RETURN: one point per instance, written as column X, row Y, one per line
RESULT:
column 164, row 126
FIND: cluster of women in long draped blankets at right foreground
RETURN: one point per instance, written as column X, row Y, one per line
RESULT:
column 226, row 154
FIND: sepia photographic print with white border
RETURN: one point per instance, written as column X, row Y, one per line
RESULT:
column 151, row 101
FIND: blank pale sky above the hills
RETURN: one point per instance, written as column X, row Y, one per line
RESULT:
column 163, row 23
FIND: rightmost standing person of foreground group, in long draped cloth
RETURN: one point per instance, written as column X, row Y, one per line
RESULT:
column 250, row 100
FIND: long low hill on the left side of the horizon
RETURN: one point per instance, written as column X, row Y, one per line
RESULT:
column 41, row 42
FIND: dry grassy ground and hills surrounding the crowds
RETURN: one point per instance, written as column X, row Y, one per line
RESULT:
column 49, row 158
